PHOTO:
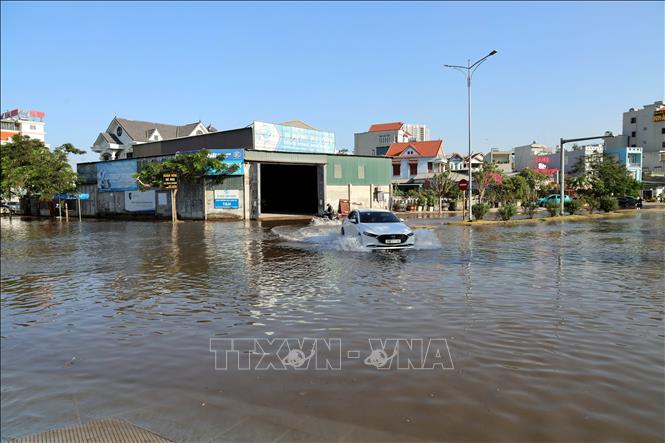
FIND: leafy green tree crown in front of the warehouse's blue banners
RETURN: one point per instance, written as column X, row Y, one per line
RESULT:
column 188, row 167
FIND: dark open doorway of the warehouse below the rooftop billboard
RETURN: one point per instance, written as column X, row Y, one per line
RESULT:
column 289, row 189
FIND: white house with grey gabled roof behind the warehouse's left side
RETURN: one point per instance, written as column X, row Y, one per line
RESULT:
column 121, row 135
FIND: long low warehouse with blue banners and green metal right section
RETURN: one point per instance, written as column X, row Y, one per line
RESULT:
column 286, row 169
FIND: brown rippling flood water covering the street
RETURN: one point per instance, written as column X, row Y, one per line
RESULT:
column 555, row 330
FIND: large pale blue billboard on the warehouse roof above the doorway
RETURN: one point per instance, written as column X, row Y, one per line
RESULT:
column 271, row 137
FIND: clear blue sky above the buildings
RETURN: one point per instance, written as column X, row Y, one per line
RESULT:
column 563, row 69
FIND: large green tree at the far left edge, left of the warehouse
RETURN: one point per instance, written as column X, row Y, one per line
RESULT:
column 30, row 169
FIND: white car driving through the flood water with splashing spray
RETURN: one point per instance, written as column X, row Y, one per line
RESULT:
column 378, row 229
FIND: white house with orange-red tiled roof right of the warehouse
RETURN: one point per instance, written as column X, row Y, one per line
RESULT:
column 415, row 162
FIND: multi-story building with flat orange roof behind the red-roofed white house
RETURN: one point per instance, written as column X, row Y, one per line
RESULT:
column 379, row 137
